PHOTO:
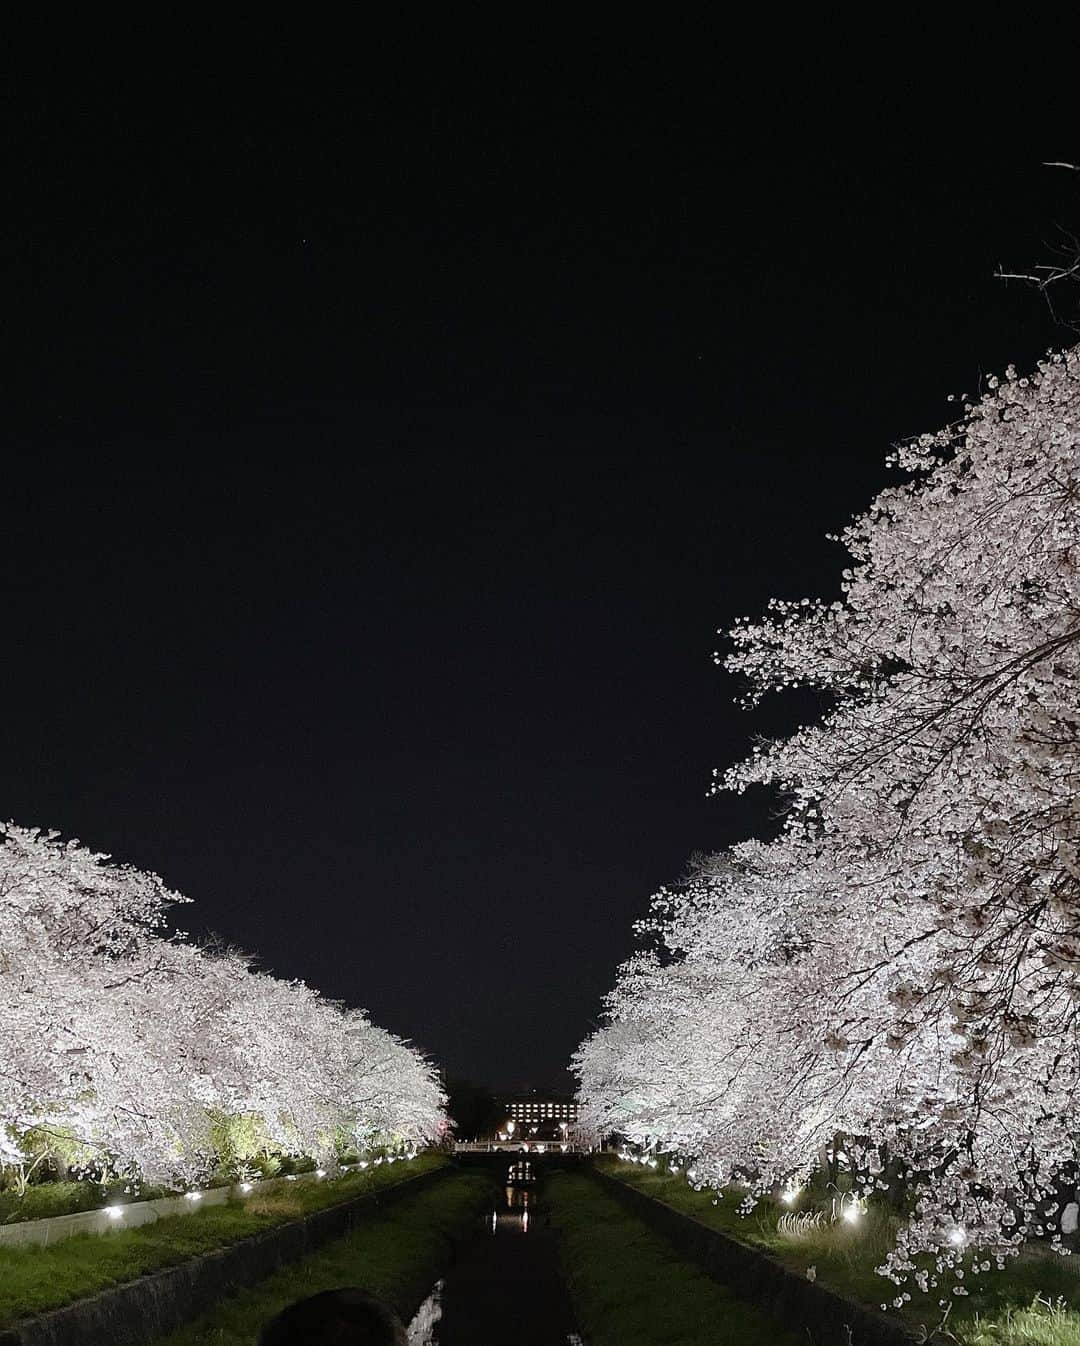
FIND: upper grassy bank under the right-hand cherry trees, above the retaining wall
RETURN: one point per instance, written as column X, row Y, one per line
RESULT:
column 1028, row 1305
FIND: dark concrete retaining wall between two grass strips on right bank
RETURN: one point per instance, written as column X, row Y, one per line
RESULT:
column 825, row 1317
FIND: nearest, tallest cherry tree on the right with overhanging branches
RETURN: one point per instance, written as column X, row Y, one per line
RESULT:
column 942, row 791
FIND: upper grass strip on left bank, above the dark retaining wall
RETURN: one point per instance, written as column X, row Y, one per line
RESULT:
column 37, row 1278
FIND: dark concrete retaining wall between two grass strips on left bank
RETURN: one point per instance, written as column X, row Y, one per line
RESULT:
column 139, row 1312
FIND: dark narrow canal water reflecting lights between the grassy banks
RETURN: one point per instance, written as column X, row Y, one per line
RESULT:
column 507, row 1285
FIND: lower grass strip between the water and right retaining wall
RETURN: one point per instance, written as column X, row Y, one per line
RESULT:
column 632, row 1289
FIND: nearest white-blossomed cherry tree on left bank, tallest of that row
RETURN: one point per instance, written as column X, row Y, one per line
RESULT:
column 80, row 954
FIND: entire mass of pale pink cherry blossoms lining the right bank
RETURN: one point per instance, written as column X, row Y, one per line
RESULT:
column 902, row 966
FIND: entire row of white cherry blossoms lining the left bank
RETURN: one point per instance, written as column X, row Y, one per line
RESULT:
column 133, row 1045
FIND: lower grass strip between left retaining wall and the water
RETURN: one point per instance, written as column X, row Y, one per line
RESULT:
column 397, row 1255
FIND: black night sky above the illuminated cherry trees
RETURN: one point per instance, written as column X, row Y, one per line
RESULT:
column 384, row 458
